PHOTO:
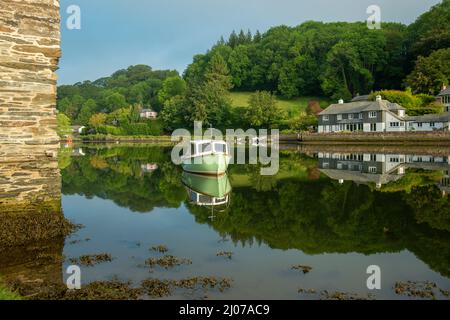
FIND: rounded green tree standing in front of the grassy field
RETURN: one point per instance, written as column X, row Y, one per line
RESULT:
column 262, row 110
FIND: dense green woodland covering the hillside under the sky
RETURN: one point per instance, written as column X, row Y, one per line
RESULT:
column 330, row 60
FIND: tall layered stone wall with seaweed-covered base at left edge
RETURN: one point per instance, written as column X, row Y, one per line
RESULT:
column 30, row 181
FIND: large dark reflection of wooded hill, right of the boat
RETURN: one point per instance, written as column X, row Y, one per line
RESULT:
column 324, row 216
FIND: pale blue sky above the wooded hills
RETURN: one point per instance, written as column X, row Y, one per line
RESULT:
column 165, row 34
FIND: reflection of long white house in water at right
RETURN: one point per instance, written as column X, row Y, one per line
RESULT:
column 380, row 169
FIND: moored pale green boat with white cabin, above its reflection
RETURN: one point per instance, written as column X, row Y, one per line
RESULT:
column 207, row 157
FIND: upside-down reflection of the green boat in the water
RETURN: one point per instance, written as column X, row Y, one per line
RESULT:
column 207, row 190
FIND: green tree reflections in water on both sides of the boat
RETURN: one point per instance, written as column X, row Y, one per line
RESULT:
column 290, row 210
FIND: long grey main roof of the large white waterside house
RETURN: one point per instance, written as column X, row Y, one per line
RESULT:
column 359, row 106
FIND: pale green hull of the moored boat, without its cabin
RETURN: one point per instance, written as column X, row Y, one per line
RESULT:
column 213, row 164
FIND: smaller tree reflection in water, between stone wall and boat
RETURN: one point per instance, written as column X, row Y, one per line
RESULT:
column 116, row 174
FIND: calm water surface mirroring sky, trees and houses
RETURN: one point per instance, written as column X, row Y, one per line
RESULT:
column 335, row 212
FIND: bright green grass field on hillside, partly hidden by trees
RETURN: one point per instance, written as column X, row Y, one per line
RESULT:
column 292, row 106
